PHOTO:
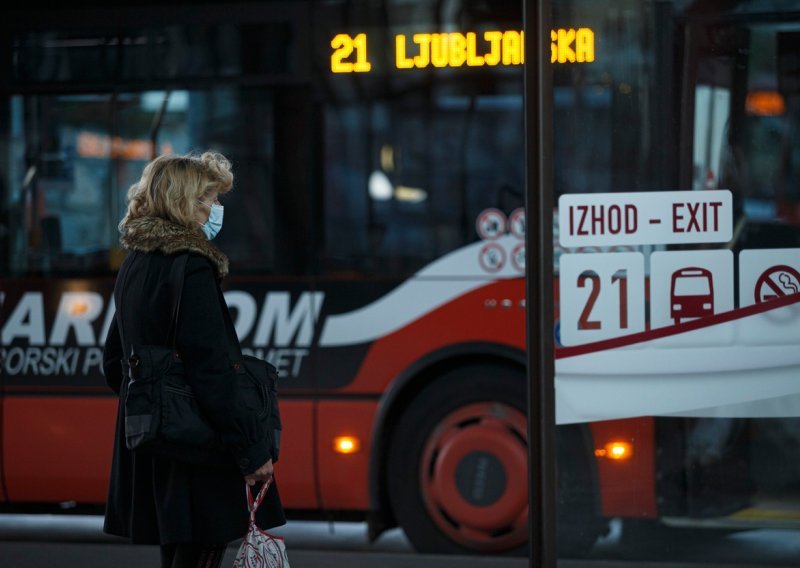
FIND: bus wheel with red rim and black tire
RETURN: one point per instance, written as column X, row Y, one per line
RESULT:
column 457, row 465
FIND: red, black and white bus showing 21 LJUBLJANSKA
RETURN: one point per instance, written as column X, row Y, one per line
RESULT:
column 376, row 240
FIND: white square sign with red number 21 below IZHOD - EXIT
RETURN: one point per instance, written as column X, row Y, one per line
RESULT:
column 601, row 296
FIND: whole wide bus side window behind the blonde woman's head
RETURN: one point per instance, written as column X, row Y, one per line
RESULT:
column 75, row 156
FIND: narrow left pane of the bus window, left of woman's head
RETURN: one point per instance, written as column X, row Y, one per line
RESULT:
column 60, row 201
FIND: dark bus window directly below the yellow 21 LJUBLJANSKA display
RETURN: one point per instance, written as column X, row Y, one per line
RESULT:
column 394, row 202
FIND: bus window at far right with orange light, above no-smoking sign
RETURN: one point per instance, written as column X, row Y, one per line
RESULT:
column 745, row 126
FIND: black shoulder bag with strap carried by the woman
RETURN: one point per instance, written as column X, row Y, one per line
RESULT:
column 162, row 416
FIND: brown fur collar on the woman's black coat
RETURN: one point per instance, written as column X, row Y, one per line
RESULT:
column 151, row 234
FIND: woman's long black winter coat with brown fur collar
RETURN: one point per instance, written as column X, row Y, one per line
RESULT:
column 154, row 500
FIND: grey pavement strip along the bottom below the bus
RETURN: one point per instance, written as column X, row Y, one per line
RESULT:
column 77, row 541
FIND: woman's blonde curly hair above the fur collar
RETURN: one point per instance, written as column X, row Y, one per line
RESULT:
column 171, row 187
